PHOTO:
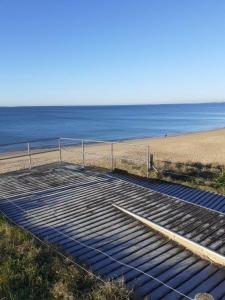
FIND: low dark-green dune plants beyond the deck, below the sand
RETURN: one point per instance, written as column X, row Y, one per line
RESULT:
column 196, row 175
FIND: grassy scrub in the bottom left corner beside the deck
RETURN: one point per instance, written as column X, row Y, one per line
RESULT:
column 31, row 270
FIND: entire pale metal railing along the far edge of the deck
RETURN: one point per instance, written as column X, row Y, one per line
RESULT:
column 83, row 152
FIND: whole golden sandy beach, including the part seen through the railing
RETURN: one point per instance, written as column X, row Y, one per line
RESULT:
column 206, row 147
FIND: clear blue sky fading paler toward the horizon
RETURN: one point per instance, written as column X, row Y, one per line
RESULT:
column 75, row 52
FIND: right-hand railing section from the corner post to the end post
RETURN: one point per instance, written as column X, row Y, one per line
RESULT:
column 108, row 155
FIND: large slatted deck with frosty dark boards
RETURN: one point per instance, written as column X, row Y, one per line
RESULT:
column 74, row 210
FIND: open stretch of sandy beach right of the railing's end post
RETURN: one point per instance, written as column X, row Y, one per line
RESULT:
column 206, row 147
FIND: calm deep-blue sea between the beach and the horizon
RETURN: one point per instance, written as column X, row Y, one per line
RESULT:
column 107, row 122
